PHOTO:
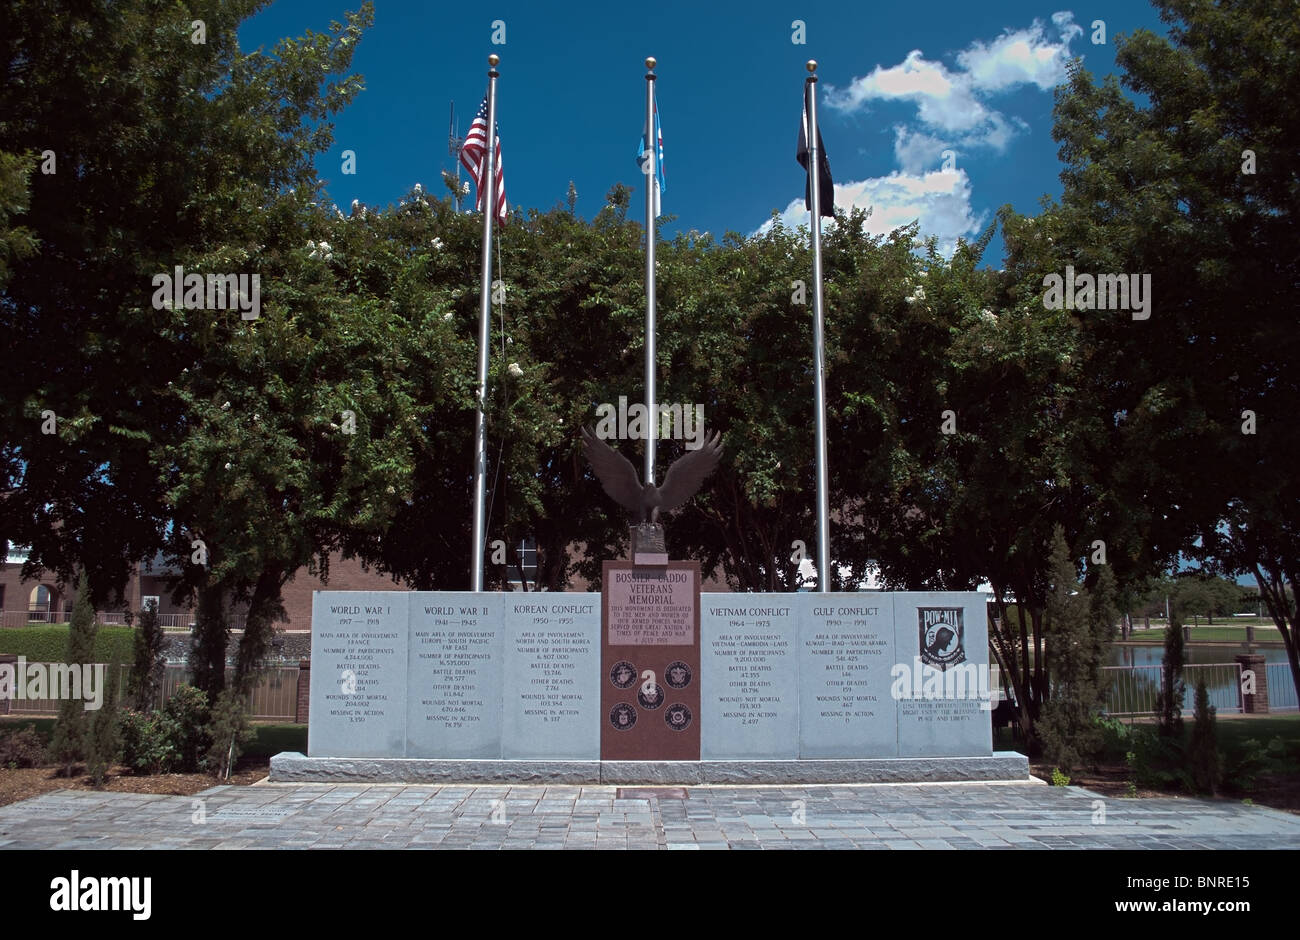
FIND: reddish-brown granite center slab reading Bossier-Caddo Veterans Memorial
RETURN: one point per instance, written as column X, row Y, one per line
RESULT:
column 651, row 662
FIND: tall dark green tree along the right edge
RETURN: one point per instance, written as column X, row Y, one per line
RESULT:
column 1190, row 180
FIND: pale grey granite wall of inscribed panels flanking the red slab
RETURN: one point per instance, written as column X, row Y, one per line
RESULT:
column 519, row 677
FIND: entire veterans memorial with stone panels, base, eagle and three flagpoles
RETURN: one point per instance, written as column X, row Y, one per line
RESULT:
column 651, row 682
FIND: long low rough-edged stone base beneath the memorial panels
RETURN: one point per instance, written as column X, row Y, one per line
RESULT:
column 294, row 768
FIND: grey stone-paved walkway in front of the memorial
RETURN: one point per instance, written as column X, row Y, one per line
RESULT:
column 834, row 817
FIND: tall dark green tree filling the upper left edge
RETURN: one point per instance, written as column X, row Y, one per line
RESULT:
column 179, row 161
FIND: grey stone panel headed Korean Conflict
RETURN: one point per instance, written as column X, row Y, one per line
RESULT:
column 553, row 677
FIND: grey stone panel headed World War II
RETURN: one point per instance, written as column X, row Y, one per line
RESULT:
column 456, row 675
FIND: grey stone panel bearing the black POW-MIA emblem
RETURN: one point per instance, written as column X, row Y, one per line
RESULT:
column 942, row 675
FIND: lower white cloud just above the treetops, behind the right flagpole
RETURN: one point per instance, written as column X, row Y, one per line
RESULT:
column 941, row 202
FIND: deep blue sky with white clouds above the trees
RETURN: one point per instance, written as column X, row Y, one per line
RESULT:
column 900, row 84
